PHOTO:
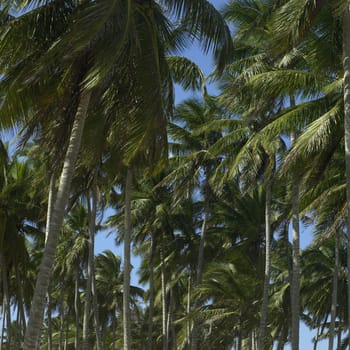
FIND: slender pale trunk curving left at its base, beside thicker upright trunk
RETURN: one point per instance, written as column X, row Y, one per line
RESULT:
column 265, row 299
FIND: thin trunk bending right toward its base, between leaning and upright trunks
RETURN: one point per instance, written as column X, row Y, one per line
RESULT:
column 92, row 231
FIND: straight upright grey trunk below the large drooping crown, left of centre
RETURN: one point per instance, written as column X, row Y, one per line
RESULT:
column 127, row 262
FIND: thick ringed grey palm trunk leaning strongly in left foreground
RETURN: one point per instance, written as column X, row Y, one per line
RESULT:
column 43, row 279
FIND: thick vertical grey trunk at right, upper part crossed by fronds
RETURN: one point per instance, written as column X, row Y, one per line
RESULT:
column 295, row 283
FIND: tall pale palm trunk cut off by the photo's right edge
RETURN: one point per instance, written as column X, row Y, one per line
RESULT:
column 346, row 66
